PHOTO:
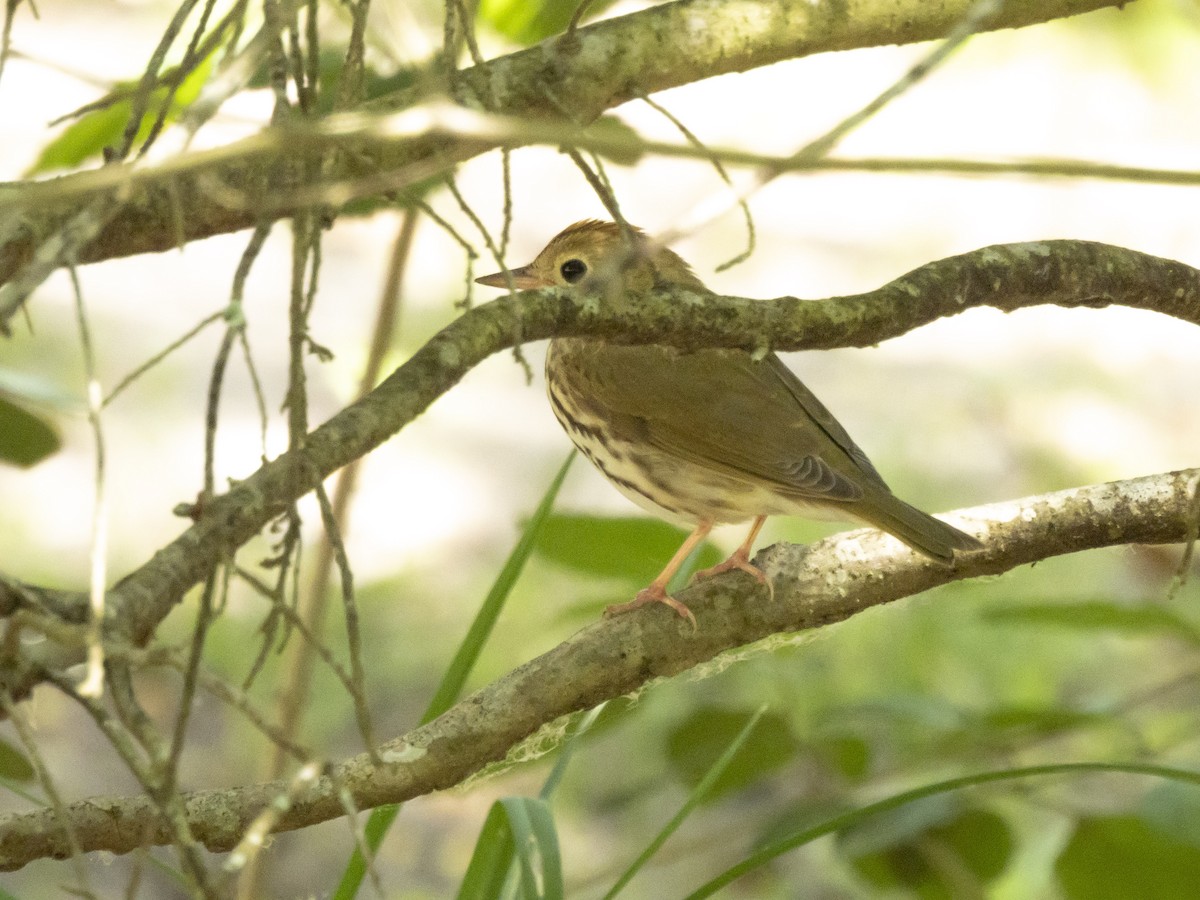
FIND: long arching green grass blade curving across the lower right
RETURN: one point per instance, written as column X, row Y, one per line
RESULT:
column 857, row 817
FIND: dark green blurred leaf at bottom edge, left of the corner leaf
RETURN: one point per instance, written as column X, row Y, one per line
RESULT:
column 937, row 862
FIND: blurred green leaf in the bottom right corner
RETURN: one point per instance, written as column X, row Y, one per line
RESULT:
column 1123, row 857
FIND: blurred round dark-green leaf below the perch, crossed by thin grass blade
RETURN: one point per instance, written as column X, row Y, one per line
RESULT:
column 695, row 746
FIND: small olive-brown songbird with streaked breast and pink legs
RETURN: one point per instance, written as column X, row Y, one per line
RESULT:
column 705, row 437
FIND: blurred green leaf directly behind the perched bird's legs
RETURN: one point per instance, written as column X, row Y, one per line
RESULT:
column 634, row 549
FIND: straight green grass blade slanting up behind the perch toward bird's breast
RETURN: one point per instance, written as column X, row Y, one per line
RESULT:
column 455, row 676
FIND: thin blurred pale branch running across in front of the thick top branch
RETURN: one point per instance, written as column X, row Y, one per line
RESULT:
column 383, row 136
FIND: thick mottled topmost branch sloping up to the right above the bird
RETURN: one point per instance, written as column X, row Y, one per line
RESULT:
column 574, row 79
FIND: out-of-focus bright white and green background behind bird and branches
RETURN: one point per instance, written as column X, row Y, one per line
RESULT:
column 1090, row 657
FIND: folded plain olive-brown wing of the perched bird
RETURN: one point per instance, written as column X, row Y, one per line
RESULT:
column 725, row 411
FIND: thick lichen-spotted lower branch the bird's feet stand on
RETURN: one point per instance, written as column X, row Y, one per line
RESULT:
column 815, row 586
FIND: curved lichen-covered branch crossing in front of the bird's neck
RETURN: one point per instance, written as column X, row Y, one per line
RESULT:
column 1007, row 278
